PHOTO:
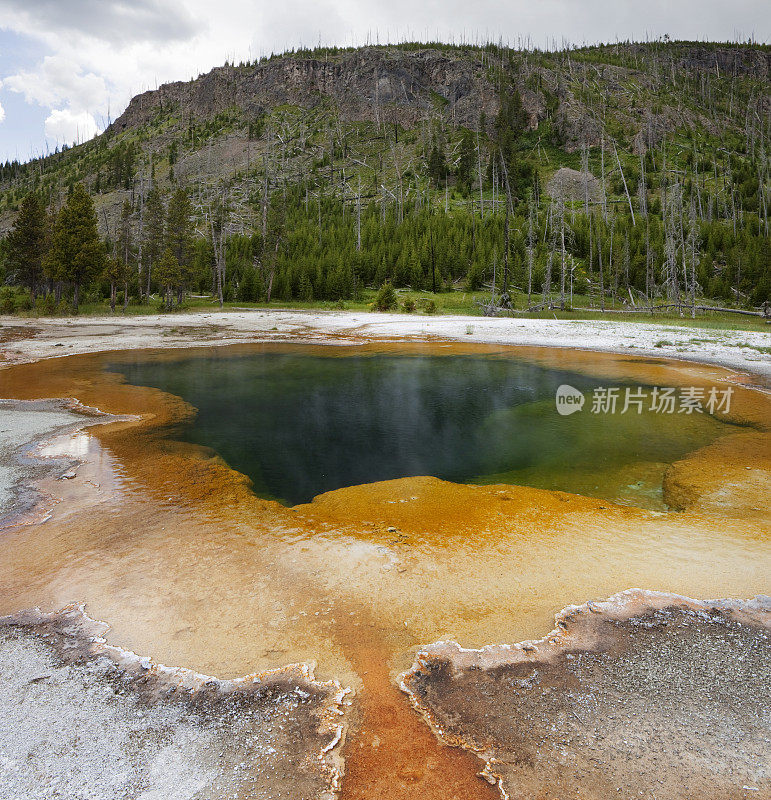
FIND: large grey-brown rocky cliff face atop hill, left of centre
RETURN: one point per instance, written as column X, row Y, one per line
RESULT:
column 367, row 84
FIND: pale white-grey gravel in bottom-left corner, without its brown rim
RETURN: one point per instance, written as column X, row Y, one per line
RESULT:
column 101, row 746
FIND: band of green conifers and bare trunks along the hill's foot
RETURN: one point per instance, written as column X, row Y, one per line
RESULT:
column 330, row 249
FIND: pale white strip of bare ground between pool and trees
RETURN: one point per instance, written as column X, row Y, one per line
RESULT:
column 46, row 338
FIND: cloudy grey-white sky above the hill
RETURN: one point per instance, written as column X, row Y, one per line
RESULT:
column 67, row 66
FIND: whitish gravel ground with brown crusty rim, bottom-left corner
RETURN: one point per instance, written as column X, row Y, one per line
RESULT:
column 83, row 720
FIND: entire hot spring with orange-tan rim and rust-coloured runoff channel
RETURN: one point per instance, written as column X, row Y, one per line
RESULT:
column 459, row 538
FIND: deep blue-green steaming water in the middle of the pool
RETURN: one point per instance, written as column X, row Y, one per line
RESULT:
column 301, row 424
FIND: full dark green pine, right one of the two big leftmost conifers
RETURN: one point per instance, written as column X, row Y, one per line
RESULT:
column 76, row 254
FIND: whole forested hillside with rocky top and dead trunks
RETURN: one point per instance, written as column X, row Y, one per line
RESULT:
column 631, row 173
